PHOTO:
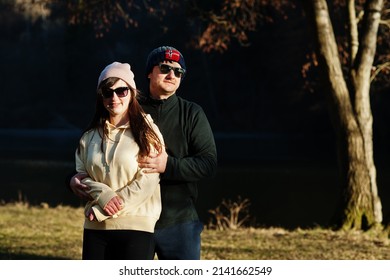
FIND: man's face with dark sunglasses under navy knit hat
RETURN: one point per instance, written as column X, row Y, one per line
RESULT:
column 162, row 85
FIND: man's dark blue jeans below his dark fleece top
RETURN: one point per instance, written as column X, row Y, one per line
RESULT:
column 179, row 242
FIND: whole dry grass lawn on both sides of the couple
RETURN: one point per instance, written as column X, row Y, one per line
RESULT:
column 56, row 233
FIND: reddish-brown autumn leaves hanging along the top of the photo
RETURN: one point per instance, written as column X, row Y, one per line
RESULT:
column 216, row 26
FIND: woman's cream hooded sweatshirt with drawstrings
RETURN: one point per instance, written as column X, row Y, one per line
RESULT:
column 115, row 172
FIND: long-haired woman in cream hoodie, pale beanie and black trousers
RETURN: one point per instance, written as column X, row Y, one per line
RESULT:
column 126, row 201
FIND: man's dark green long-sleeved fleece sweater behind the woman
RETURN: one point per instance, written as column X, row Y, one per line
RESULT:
column 192, row 155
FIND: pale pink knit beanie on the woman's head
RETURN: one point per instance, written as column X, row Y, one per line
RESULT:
column 118, row 70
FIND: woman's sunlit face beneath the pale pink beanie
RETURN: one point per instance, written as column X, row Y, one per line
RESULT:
column 117, row 106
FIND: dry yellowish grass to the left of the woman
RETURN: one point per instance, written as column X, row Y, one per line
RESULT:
column 40, row 232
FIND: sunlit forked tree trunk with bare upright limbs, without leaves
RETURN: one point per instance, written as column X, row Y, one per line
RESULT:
column 350, row 108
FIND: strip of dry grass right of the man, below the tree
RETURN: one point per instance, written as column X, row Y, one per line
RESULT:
column 280, row 244
